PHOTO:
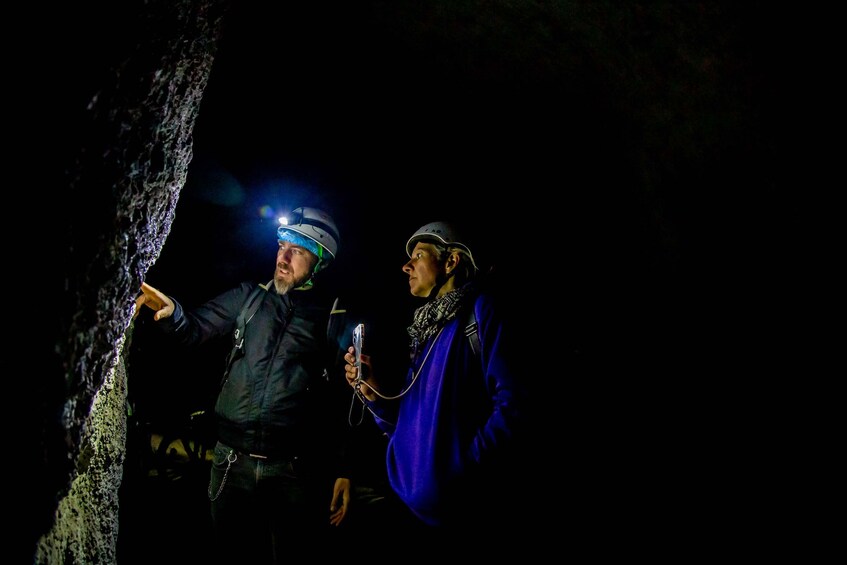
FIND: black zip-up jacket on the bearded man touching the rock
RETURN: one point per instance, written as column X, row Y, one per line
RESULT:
column 277, row 400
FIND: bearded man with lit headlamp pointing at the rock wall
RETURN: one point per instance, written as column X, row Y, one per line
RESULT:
column 271, row 478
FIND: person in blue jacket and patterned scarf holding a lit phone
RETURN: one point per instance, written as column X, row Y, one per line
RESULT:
column 455, row 422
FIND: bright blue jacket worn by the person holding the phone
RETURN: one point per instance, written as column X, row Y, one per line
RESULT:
column 453, row 430
